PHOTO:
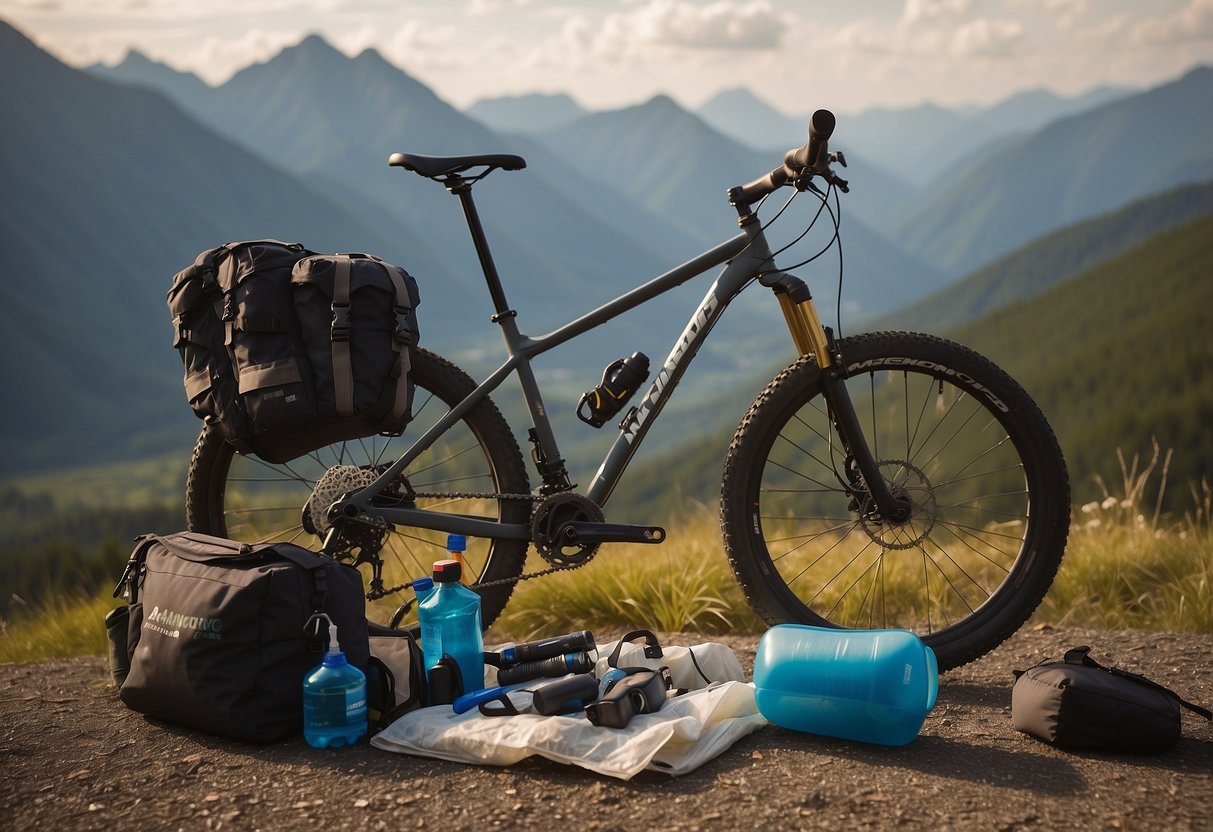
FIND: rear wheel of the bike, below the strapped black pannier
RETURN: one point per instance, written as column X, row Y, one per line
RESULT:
column 248, row 499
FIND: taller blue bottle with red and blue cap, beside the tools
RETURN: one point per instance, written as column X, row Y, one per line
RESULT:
column 451, row 625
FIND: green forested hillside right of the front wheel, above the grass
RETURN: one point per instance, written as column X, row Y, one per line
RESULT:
column 1121, row 356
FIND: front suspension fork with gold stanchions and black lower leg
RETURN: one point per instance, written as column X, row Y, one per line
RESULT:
column 812, row 339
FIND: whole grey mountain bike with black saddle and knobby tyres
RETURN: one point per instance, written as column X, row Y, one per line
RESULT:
column 889, row 480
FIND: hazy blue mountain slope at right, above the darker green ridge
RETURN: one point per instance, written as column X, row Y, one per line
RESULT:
column 1067, row 172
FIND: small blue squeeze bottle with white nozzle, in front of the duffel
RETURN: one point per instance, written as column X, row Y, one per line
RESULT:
column 334, row 699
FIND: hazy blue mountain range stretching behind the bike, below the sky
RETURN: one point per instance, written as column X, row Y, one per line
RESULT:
column 118, row 176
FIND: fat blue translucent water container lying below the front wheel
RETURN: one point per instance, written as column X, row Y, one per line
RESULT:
column 873, row 686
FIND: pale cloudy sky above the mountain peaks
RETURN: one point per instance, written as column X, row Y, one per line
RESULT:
column 798, row 55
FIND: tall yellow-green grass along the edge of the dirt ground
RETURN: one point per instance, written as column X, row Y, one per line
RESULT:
column 1127, row 567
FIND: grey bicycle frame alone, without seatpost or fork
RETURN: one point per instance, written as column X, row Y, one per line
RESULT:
column 747, row 255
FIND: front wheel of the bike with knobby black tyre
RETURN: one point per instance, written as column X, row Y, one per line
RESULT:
column 954, row 435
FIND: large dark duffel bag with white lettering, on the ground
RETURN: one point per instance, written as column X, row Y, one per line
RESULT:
column 219, row 634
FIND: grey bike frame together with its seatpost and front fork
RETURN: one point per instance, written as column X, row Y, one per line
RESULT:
column 745, row 258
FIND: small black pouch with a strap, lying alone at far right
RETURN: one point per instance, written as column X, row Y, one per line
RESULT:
column 1078, row 704
